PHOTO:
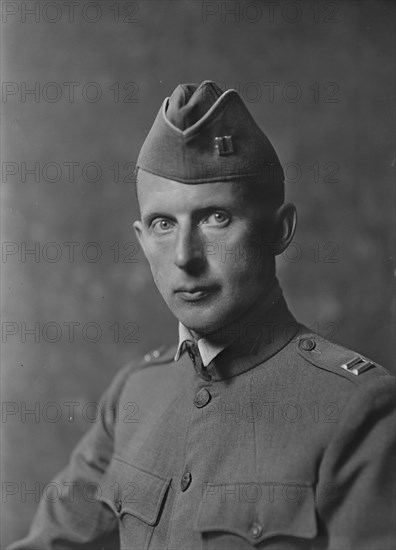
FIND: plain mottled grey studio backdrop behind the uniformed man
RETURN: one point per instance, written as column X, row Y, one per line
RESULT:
column 320, row 86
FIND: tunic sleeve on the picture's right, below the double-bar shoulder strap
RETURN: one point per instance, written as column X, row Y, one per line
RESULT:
column 357, row 475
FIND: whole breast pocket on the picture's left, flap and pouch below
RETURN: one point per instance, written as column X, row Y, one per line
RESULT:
column 136, row 498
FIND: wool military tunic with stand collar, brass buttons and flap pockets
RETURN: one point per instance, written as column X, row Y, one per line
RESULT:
column 283, row 442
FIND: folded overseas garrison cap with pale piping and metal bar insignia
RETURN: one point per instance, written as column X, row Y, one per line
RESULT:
column 203, row 135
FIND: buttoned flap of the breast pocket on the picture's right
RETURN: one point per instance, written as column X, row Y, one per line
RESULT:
column 258, row 515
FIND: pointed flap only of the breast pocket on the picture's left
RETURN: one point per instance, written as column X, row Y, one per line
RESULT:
column 128, row 489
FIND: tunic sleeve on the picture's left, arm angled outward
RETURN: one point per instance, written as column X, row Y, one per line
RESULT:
column 75, row 518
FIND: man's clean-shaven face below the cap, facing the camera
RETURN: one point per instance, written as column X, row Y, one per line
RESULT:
column 207, row 247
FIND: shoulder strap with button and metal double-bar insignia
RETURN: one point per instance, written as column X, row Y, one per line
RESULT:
column 333, row 357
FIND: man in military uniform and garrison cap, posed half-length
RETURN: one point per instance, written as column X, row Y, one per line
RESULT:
column 253, row 432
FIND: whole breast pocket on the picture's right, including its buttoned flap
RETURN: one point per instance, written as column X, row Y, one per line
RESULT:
column 229, row 518
